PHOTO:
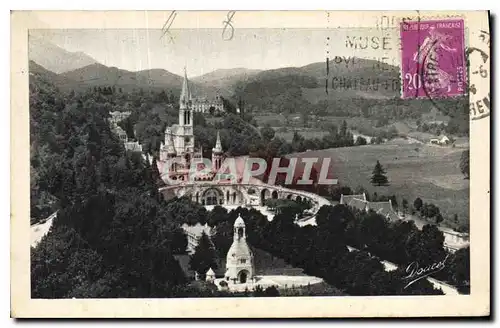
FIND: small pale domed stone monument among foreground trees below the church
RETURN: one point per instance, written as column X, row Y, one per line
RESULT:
column 239, row 261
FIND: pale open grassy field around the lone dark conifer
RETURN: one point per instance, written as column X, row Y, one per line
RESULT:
column 414, row 170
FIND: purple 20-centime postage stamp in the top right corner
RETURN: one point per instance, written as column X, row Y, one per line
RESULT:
column 433, row 58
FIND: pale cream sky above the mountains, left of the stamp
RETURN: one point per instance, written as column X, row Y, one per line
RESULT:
column 205, row 50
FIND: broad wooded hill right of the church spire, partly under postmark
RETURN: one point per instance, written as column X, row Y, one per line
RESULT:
column 293, row 89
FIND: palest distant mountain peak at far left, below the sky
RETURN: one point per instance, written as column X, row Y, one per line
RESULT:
column 55, row 58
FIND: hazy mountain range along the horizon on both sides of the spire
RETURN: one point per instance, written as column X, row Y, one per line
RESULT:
column 75, row 70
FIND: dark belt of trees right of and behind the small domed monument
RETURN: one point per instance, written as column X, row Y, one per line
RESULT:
column 322, row 250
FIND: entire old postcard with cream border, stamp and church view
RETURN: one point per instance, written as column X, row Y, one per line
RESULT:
column 250, row 164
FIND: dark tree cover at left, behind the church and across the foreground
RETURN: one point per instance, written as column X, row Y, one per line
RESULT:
column 115, row 236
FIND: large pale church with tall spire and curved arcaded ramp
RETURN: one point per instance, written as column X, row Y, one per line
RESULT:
column 178, row 152
